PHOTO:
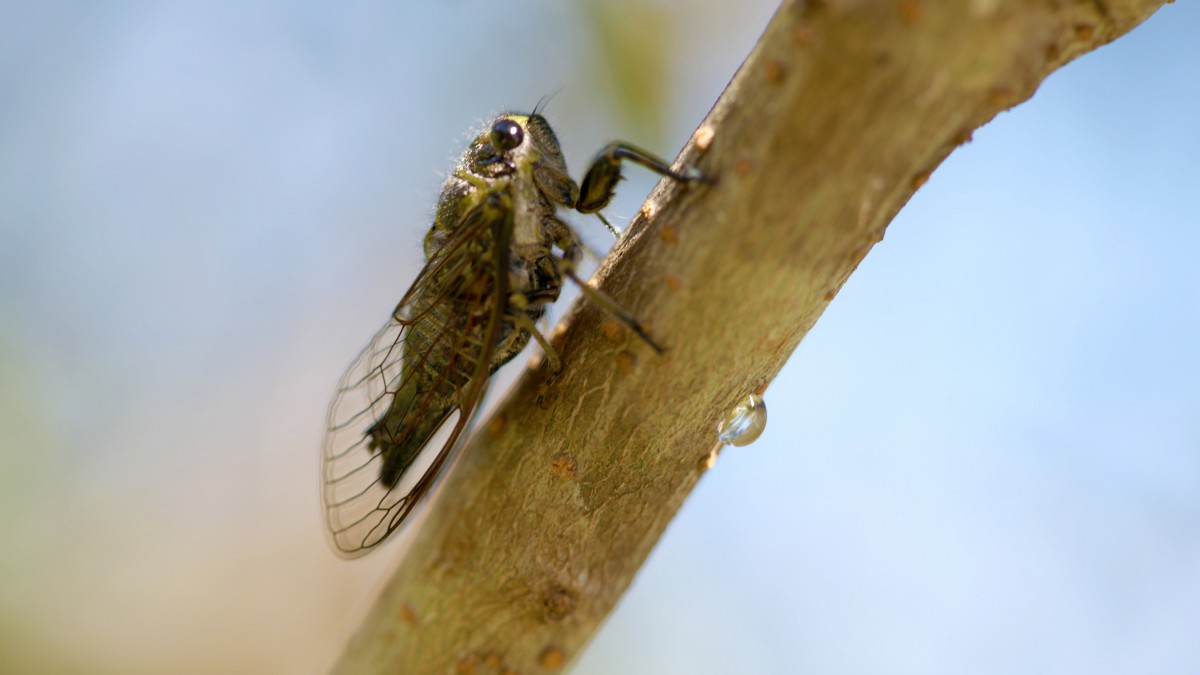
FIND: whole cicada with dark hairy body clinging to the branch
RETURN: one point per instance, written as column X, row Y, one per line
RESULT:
column 496, row 256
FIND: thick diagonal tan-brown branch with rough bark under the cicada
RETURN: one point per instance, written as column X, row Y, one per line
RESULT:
column 839, row 115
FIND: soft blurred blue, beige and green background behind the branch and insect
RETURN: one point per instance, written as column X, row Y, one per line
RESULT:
column 986, row 458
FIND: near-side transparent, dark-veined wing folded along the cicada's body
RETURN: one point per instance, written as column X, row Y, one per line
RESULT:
column 362, row 507
